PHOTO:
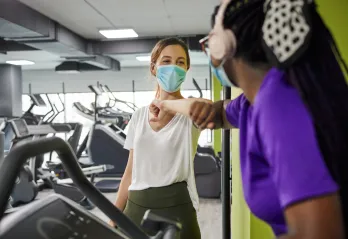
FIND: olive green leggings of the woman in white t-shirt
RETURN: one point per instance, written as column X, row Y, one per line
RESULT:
column 172, row 202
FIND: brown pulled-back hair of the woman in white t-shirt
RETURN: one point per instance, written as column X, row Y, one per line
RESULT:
column 156, row 52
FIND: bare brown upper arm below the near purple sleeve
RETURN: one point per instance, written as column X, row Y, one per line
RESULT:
column 318, row 218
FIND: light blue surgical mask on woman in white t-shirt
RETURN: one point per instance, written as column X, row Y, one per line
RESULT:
column 170, row 77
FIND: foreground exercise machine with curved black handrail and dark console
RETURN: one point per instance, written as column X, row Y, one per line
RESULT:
column 58, row 217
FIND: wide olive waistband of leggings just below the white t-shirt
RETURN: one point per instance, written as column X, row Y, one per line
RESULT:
column 161, row 197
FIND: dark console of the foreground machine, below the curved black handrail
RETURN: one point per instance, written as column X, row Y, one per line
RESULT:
column 55, row 217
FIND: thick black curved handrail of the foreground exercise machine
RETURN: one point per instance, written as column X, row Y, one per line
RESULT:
column 10, row 168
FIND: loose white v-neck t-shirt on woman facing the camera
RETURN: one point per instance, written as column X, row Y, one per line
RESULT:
column 164, row 157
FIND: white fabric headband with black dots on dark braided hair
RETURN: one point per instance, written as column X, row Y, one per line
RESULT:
column 286, row 30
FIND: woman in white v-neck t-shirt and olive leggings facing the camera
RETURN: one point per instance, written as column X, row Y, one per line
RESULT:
column 159, row 174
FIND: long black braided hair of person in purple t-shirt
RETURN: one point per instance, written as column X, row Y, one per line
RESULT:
column 317, row 76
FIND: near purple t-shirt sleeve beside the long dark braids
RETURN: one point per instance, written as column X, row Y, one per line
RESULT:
column 291, row 149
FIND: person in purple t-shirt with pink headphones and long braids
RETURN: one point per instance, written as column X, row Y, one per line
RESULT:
column 292, row 115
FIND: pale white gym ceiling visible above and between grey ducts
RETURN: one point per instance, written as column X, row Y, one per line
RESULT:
column 150, row 18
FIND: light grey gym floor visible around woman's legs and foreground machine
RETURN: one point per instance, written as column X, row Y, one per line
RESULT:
column 209, row 215
